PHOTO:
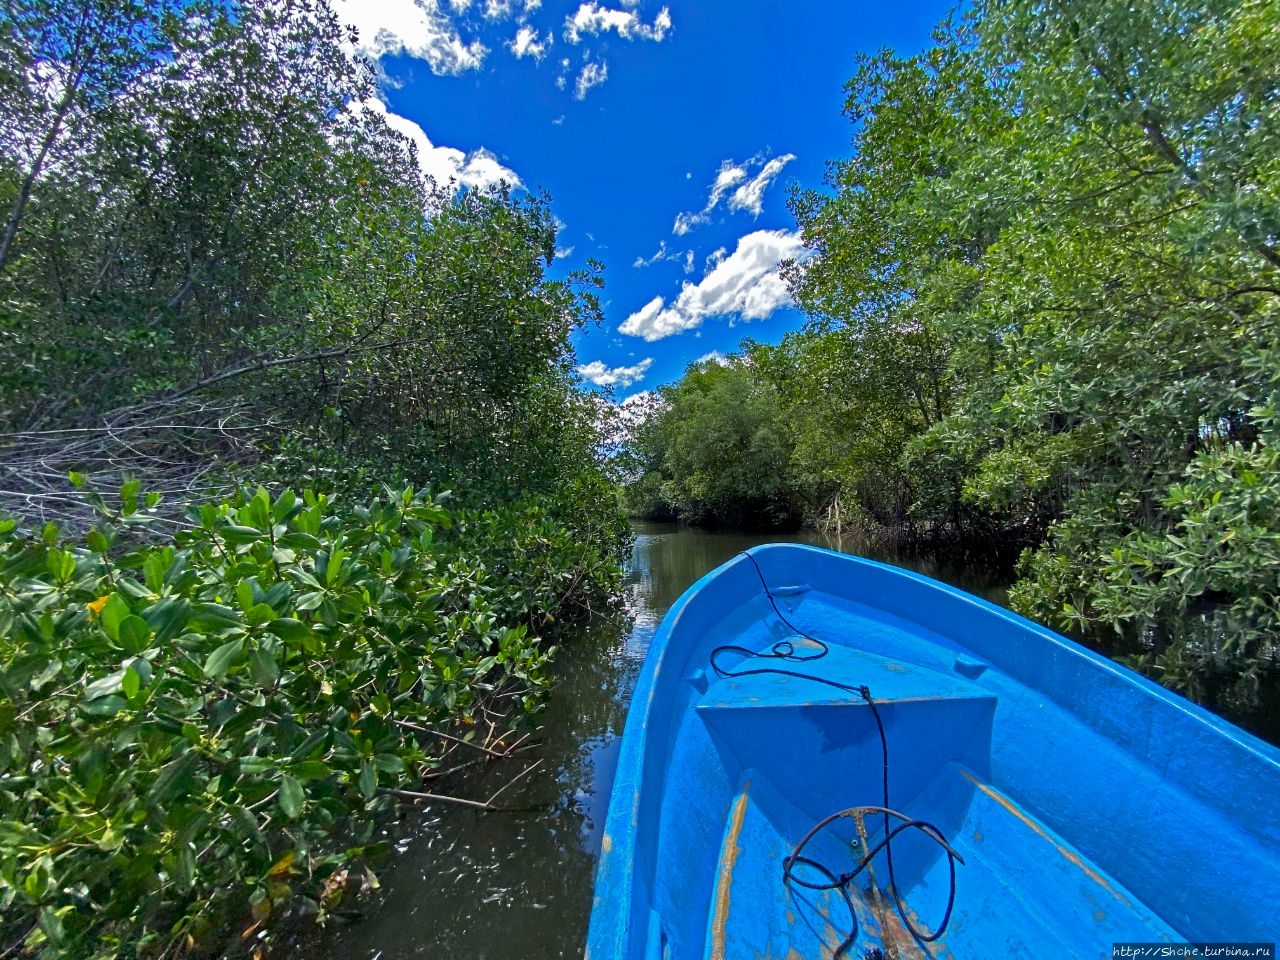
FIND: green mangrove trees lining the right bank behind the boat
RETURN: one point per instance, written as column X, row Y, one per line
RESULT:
column 1043, row 309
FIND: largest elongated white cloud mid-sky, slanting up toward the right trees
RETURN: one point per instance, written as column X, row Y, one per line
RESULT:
column 744, row 285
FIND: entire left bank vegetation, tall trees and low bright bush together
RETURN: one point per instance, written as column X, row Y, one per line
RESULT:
column 299, row 481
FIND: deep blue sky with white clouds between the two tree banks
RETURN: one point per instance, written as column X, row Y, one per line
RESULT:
column 668, row 135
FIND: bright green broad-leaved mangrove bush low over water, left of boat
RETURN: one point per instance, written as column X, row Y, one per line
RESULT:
column 186, row 725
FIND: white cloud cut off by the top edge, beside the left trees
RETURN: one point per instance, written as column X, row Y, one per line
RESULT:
column 419, row 29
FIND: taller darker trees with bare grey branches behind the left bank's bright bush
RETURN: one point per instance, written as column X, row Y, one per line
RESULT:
column 218, row 245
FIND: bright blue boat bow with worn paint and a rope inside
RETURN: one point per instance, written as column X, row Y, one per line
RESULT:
column 829, row 757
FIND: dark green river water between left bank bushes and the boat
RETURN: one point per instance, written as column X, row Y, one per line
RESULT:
column 518, row 886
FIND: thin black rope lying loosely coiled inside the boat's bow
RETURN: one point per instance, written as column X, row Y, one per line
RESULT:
column 785, row 651
